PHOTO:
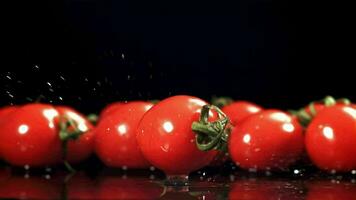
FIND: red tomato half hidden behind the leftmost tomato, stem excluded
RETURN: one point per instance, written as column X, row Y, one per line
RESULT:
column 81, row 148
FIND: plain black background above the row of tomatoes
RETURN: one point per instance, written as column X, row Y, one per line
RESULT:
column 87, row 53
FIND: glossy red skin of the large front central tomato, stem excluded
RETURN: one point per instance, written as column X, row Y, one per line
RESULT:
column 166, row 139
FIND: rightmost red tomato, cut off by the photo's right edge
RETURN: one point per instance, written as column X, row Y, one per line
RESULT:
column 331, row 138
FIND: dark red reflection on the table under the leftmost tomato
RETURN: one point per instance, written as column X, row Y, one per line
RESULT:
column 29, row 188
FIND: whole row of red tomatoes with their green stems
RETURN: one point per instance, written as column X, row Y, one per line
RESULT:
column 181, row 134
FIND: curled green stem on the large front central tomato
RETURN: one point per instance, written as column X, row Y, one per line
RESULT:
column 211, row 135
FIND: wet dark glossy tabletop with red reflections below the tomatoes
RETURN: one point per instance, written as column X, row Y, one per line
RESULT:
column 148, row 184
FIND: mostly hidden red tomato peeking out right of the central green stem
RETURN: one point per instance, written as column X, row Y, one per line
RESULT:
column 240, row 110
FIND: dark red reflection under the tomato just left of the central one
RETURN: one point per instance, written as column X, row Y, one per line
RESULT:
column 131, row 188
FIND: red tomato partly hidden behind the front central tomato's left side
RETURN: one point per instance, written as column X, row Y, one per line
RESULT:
column 115, row 136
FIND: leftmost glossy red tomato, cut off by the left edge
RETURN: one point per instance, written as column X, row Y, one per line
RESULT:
column 29, row 136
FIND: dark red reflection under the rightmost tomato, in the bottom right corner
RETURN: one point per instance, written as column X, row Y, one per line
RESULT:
column 325, row 190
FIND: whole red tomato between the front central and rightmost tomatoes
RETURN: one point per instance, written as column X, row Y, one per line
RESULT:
column 271, row 139
